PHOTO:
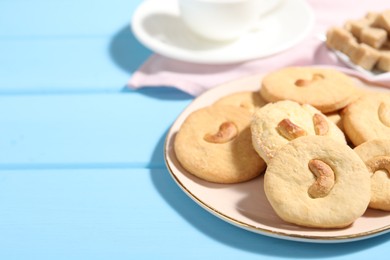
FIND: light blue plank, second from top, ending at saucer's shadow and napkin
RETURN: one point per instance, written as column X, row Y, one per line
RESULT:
column 69, row 65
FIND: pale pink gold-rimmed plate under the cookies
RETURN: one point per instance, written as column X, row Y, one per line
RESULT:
column 245, row 204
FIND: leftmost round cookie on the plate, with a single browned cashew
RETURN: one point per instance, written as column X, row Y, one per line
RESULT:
column 214, row 143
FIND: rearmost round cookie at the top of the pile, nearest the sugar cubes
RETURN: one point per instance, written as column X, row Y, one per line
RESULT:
column 327, row 90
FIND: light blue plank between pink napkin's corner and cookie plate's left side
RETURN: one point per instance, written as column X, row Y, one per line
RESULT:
column 87, row 130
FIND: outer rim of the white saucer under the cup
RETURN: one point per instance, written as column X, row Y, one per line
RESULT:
column 170, row 52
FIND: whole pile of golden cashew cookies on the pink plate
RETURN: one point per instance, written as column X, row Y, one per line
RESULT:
column 322, row 143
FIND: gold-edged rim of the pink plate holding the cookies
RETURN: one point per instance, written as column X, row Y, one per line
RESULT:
column 256, row 229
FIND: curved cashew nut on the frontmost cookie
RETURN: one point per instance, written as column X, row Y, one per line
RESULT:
column 325, row 179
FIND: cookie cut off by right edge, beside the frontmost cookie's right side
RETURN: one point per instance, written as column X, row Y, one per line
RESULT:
column 376, row 154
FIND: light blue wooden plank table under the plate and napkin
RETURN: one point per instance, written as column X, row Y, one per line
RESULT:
column 82, row 173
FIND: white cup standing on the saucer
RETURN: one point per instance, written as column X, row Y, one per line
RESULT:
column 222, row 20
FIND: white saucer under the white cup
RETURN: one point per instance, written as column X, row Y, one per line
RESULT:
column 158, row 26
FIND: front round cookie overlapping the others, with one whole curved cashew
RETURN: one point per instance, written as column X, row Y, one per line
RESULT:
column 336, row 198
